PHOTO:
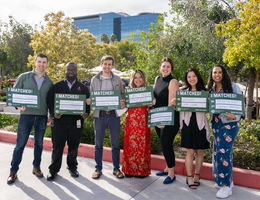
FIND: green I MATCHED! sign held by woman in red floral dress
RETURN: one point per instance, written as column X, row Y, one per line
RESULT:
column 139, row 96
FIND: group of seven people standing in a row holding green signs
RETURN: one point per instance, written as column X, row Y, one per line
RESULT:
column 194, row 126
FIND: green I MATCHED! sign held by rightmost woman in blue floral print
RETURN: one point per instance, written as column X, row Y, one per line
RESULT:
column 226, row 103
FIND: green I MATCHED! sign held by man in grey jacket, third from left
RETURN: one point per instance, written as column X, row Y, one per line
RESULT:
column 105, row 100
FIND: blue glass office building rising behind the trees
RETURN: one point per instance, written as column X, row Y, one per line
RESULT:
column 120, row 24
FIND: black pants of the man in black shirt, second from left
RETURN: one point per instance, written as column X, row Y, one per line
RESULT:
column 62, row 133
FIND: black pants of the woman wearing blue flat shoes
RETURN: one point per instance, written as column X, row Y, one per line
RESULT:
column 167, row 135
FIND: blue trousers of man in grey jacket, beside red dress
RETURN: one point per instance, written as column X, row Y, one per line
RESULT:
column 112, row 122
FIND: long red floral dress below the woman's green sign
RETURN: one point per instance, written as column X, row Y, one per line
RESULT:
column 137, row 143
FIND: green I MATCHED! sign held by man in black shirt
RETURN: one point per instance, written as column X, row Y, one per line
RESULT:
column 70, row 104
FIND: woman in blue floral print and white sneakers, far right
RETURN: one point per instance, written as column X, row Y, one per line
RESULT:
column 225, row 127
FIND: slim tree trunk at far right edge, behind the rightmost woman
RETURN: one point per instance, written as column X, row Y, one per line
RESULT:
column 250, row 93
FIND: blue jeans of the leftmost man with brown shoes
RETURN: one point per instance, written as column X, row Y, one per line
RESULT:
column 25, row 125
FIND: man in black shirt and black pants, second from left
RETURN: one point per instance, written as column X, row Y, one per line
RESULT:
column 66, row 128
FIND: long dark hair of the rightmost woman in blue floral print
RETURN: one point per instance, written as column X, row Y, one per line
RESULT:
column 226, row 82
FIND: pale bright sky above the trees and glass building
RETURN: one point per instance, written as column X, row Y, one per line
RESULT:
column 32, row 11
